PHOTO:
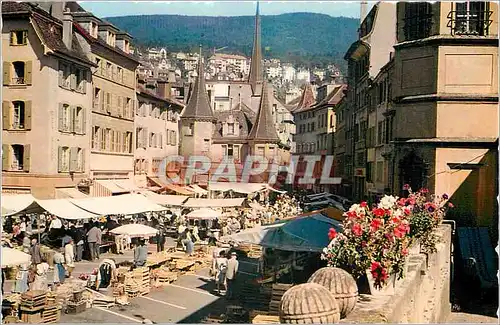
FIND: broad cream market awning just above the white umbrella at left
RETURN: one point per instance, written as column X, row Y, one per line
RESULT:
column 120, row 204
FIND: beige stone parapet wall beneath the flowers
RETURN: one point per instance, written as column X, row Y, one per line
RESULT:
column 423, row 296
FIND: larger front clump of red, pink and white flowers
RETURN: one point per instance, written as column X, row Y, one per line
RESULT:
column 373, row 243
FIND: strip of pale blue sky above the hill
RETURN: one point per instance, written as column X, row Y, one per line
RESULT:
column 219, row 8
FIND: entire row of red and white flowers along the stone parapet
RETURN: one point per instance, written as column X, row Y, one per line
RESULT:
column 377, row 239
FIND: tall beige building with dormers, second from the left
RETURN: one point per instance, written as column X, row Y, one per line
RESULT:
column 113, row 102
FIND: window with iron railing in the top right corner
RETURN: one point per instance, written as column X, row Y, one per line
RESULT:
column 471, row 18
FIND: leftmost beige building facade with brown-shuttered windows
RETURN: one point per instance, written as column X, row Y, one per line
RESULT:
column 46, row 101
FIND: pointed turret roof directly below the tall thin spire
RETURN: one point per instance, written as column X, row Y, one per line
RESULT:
column 263, row 129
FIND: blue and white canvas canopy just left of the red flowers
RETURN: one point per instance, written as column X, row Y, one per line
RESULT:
column 301, row 234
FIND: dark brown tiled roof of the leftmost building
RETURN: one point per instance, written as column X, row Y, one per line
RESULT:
column 48, row 28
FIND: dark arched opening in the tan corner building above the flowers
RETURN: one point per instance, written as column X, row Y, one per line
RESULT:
column 412, row 171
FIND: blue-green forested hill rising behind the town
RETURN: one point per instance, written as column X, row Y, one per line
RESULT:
column 303, row 38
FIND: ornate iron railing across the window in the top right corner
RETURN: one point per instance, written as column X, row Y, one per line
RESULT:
column 470, row 22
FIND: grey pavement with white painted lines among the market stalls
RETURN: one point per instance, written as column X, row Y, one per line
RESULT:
column 188, row 300
